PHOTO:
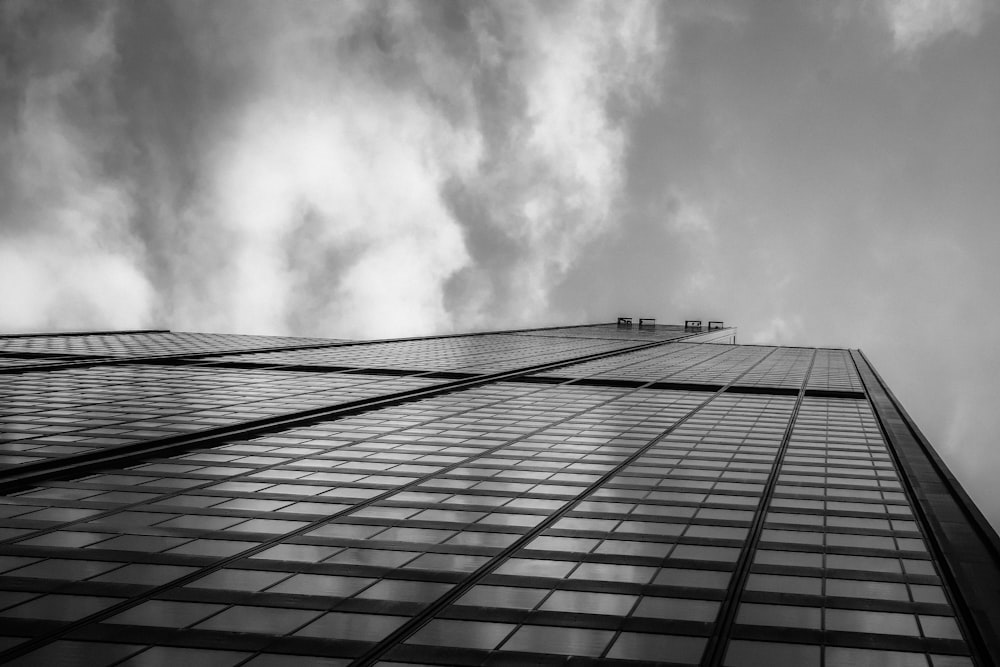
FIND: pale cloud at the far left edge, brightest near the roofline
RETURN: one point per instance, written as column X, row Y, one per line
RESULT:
column 67, row 254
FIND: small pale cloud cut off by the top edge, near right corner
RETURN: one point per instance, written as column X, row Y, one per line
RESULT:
column 916, row 23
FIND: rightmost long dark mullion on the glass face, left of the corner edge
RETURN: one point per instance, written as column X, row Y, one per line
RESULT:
column 719, row 640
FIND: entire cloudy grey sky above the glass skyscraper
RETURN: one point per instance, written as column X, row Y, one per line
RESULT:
column 817, row 172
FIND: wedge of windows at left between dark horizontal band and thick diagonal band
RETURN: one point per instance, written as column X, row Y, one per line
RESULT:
column 62, row 413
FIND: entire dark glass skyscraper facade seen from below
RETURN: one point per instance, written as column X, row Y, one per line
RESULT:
column 617, row 494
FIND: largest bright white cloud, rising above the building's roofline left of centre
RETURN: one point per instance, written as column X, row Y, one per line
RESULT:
column 325, row 204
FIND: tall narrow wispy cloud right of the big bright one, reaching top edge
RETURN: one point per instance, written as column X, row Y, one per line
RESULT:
column 554, row 173
